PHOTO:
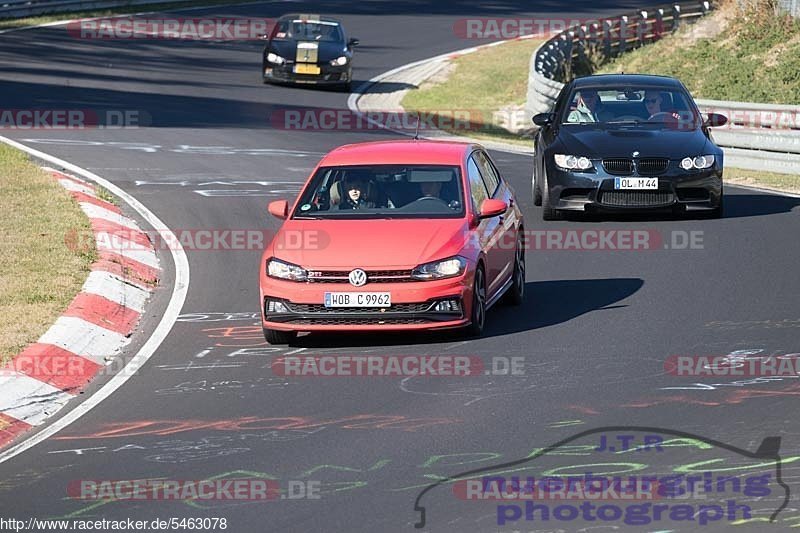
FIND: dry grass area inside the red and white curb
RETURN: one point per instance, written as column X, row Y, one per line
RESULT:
column 39, row 273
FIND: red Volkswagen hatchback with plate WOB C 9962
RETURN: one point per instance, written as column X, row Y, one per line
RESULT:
column 397, row 235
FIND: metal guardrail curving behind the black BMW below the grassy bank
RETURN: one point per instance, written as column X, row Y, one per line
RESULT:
column 759, row 136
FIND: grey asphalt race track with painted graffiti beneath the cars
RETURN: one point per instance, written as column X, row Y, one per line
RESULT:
column 594, row 332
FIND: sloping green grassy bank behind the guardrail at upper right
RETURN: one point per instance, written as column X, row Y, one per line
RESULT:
column 755, row 59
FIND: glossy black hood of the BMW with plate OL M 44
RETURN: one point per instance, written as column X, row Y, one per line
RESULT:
column 597, row 142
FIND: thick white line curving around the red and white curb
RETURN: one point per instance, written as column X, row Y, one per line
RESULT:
column 171, row 314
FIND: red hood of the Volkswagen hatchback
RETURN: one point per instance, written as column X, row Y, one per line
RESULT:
column 376, row 244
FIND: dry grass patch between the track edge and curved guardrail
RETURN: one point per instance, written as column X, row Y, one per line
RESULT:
column 488, row 84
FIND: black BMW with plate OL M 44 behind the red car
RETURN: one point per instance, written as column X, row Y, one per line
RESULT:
column 626, row 142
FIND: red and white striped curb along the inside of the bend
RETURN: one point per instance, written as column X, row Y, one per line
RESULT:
column 95, row 327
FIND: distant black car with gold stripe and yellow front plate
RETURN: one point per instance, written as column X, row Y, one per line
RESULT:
column 308, row 49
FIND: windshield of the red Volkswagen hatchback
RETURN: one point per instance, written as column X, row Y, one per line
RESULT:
column 383, row 191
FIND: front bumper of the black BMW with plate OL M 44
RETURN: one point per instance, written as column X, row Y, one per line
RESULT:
column 695, row 190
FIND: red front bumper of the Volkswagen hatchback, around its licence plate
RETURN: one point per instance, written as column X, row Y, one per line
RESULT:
column 413, row 306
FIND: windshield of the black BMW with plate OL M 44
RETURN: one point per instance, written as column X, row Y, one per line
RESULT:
column 633, row 106
